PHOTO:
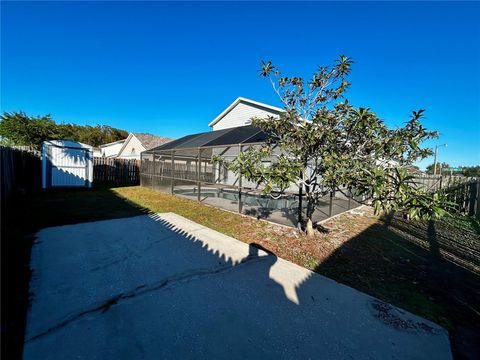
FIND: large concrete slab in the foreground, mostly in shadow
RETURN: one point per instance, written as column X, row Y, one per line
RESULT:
column 163, row 287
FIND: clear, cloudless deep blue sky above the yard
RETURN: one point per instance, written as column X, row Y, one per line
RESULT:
column 170, row 68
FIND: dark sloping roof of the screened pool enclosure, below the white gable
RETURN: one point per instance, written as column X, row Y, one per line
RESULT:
column 239, row 135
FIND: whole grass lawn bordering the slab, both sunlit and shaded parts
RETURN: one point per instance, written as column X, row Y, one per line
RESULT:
column 430, row 269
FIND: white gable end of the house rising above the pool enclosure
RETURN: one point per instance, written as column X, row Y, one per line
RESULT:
column 240, row 112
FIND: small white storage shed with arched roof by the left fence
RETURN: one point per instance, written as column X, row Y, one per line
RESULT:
column 66, row 163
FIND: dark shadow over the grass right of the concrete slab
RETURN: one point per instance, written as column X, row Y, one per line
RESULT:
column 411, row 265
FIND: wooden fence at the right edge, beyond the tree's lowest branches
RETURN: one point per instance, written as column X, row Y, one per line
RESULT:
column 462, row 191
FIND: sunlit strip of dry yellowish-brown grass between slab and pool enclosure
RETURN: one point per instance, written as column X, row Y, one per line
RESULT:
column 285, row 242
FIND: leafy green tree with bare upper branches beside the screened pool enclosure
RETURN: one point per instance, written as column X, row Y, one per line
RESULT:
column 323, row 143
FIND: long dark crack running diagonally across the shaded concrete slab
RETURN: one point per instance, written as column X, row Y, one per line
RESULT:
column 145, row 289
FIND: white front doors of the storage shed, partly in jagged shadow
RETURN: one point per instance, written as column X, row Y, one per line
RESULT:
column 69, row 166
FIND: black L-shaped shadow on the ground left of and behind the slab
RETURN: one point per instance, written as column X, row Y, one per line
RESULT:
column 24, row 215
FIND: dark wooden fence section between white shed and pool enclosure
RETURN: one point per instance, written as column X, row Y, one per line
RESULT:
column 116, row 171
